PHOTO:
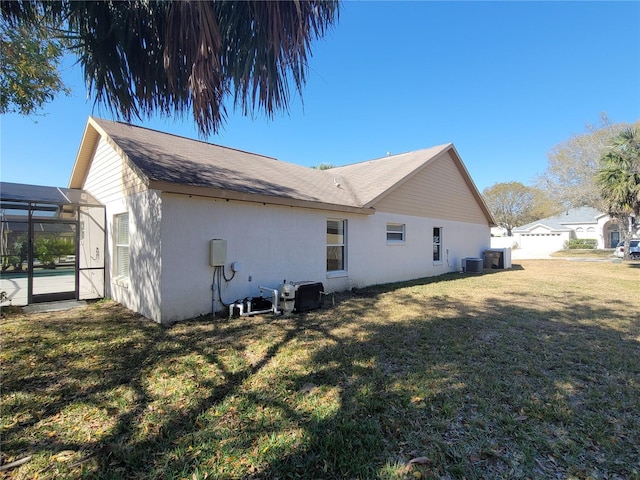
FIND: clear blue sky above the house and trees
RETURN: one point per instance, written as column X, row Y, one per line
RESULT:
column 504, row 81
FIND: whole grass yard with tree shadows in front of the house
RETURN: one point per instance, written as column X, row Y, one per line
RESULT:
column 528, row 373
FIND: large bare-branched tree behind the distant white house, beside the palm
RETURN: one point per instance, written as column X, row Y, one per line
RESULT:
column 573, row 164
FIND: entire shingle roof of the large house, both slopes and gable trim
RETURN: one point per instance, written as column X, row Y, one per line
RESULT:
column 168, row 162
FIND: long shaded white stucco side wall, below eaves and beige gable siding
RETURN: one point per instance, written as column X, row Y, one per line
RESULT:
column 274, row 243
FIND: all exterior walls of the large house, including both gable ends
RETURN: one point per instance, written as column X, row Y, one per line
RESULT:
column 170, row 276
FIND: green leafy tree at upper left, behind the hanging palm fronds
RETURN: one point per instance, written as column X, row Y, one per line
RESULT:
column 29, row 59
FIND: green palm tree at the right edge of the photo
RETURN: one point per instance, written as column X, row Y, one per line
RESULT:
column 619, row 180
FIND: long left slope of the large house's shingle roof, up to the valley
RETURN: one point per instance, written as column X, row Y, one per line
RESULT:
column 168, row 158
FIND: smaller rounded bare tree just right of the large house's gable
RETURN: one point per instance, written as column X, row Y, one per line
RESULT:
column 513, row 204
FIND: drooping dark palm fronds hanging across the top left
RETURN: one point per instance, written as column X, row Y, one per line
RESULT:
column 144, row 57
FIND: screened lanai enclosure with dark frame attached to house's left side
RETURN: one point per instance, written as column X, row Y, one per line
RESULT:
column 53, row 244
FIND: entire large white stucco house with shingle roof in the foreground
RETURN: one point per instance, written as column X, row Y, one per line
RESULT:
column 396, row 218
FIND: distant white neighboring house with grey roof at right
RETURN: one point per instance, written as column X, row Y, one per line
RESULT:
column 550, row 234
